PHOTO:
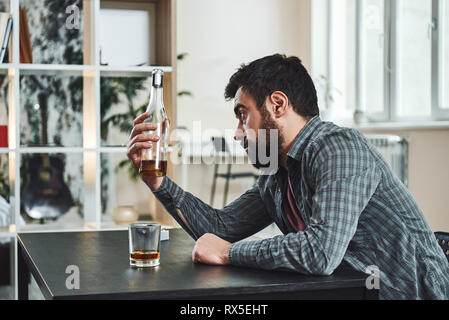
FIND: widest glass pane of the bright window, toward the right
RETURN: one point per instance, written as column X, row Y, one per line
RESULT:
column 413, row 58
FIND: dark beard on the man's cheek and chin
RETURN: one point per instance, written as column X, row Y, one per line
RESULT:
column 265, row 148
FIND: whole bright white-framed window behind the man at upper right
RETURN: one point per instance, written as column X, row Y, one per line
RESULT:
column 387, row 59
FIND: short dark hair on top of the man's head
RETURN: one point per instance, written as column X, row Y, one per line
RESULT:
column 273, row 73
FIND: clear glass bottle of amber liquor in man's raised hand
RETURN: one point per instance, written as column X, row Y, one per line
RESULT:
column 154, row 161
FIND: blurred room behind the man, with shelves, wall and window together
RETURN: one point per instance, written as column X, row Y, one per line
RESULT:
column 75, row 73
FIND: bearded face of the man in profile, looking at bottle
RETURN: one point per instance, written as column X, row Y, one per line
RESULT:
column 254, row 128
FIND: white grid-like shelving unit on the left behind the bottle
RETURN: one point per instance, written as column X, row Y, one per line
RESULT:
column 91, row 71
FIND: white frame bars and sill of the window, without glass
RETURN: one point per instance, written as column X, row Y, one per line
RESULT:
column 389, row 113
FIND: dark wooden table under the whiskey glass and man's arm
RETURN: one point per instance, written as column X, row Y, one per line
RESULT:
column 104, row 272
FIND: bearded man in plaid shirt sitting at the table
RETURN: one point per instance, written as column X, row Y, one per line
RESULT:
column 332, row 195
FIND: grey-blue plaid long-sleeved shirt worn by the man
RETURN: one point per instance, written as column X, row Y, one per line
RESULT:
column 354, row 208
